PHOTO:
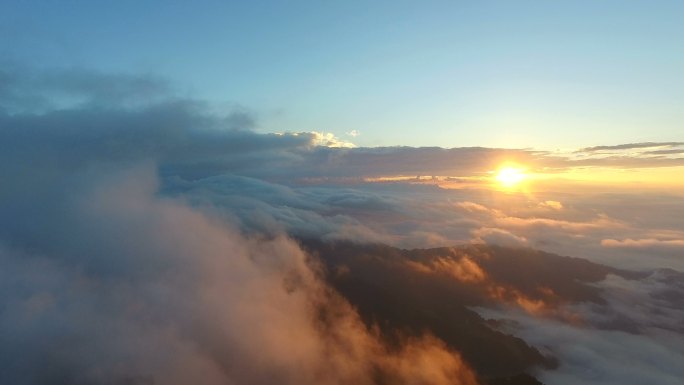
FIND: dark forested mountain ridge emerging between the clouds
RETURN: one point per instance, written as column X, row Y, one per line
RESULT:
column 383, row 283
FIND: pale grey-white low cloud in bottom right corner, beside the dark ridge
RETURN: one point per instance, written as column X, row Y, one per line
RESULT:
column 633, row 338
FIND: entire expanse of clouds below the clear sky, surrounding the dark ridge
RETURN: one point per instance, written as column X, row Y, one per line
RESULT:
column 145, row 238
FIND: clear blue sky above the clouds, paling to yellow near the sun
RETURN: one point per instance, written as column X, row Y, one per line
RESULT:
column 459, row 73
